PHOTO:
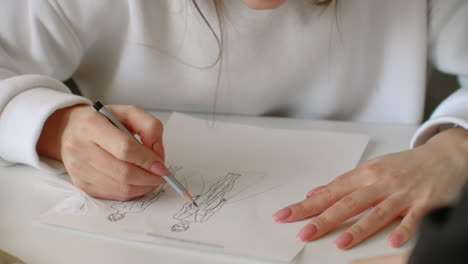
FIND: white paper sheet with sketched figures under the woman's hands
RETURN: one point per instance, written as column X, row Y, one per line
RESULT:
column 239, row 175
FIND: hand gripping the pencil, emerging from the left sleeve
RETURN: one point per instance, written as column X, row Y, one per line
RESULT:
column 101, row 159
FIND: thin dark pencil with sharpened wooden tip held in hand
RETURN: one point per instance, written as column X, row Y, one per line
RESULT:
column 171, row 180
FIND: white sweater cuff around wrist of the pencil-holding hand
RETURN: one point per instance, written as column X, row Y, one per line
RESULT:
column 21, row 124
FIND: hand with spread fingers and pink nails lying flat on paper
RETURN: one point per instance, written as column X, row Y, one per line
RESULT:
column 405, row 184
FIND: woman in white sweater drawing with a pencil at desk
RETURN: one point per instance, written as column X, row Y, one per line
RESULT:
column 356, row 60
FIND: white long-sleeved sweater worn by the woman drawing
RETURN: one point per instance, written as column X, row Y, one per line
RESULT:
column 365, row 61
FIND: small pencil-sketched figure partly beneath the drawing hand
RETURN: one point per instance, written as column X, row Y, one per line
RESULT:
column 136, row 206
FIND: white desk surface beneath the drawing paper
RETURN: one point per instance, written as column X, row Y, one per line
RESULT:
column 21, row 202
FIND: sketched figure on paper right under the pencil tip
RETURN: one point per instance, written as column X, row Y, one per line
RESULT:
column 209, row 203
